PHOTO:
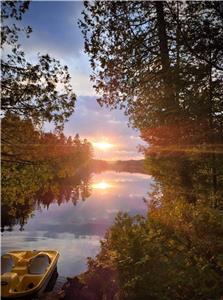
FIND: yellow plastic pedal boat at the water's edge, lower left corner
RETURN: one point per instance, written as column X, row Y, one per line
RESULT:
column 26, row 273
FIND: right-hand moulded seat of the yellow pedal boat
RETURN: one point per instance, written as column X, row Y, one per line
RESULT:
column 38, row 264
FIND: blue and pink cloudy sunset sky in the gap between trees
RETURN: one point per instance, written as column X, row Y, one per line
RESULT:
column 56, row 32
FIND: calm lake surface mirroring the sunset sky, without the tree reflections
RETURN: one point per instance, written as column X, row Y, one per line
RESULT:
column 76, row 230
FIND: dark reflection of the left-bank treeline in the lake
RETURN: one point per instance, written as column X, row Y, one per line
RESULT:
column 17, row 211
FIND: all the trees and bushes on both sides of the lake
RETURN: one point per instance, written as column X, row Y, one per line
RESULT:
column 161, row 63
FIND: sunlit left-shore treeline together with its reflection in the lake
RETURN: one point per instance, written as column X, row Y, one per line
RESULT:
column 32, row 161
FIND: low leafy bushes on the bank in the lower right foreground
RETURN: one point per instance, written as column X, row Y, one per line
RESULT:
column 165, row 256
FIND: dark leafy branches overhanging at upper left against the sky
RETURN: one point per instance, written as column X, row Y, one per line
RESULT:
column 40, row 91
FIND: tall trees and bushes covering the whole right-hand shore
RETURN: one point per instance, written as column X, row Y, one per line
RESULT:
column 162, row 63
